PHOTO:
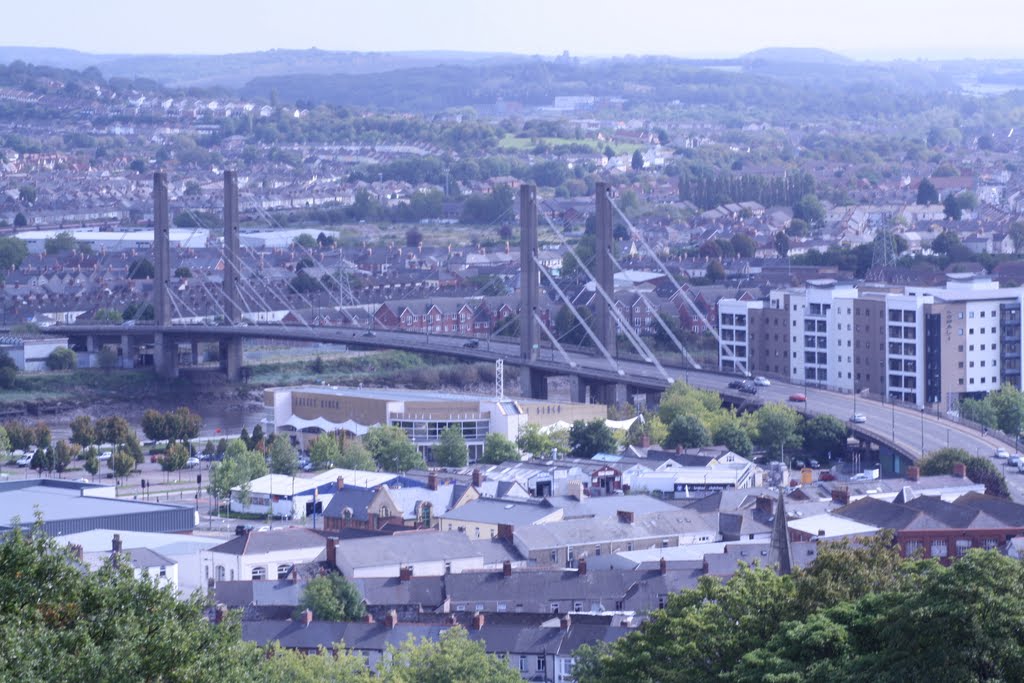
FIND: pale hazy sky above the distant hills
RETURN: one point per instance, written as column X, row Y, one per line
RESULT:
column 686, row 28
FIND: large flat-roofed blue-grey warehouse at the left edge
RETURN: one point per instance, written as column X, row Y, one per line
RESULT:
column 72, row 507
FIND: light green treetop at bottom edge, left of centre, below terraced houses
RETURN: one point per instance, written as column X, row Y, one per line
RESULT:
column 451, row 659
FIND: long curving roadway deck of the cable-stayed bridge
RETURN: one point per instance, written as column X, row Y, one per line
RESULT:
column 905, row 429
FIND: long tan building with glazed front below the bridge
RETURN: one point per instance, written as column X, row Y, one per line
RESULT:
column 307, row 412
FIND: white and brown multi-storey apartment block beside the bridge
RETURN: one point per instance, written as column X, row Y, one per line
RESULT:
column 922, row 346
